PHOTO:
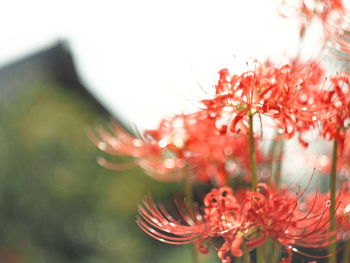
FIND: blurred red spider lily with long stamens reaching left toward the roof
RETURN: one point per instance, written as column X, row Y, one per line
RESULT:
column 190, row 140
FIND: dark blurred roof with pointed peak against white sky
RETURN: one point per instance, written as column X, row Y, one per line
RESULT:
column 55, row 62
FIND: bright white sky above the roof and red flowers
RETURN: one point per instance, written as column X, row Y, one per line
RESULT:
column 145, row 59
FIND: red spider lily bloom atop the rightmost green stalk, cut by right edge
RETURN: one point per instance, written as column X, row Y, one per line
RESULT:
column 336, row 104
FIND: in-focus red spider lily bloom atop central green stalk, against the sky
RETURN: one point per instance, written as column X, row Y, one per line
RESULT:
column 286, row 94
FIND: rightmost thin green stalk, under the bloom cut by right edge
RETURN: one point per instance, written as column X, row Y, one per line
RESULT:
column 332, row 248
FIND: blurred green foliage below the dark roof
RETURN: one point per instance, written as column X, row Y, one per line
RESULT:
column 56, row 203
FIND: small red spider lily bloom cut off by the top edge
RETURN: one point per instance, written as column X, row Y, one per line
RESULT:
column 315, row 9
